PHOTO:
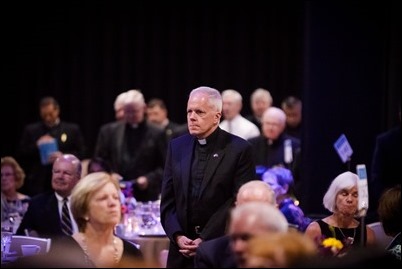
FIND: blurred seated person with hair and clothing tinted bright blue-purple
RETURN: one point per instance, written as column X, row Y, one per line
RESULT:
column 281, row 180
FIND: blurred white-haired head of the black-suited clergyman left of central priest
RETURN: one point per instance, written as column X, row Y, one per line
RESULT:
column 134, row 107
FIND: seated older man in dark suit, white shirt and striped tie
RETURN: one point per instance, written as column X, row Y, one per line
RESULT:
column 43, row 216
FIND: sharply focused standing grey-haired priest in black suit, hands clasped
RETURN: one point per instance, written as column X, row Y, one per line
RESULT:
column 203, row 172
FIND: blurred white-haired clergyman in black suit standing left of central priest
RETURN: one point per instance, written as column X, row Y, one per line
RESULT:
column 135, row 149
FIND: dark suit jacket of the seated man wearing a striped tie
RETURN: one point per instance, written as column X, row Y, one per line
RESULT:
column 42, row 216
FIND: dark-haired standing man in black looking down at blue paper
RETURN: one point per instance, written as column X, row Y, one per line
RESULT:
column 68, row 137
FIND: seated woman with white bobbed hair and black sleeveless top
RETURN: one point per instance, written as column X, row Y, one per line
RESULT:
column 341, row 199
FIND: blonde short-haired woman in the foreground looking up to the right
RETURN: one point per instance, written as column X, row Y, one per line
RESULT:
column 96, row 207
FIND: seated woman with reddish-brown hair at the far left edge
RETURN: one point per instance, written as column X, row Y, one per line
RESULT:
column 13, row 203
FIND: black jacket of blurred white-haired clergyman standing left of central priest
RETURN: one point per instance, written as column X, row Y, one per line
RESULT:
column 148, row 160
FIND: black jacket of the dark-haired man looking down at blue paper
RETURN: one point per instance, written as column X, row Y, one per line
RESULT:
column 69, row 140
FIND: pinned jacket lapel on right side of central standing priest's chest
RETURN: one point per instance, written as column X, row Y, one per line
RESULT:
column 214, row 160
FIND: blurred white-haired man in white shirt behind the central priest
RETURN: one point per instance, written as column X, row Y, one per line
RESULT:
column 234, row 122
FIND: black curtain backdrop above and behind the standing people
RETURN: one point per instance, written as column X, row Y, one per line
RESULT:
column 342, row 58
